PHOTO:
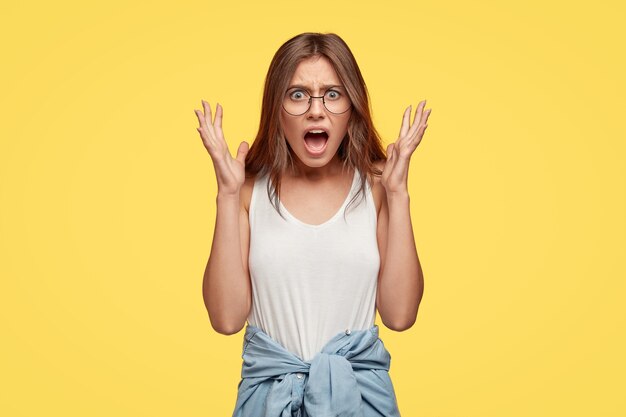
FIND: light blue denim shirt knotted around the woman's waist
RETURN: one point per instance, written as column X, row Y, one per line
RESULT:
column 349, row 377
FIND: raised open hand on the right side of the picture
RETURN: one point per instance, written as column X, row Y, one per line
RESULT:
column 396, row 171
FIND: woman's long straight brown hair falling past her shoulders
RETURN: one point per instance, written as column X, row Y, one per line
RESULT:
column 362, row 146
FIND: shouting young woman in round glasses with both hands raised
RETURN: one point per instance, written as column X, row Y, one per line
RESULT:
column 313, row 235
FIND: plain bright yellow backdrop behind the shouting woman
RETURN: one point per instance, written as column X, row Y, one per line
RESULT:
column 108, row 199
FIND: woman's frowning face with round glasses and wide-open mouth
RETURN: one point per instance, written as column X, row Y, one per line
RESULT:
column 315, row 76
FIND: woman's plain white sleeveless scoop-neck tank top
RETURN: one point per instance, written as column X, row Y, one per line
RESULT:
column 310, row 282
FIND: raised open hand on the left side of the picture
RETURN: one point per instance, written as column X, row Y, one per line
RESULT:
column 230, row 172
